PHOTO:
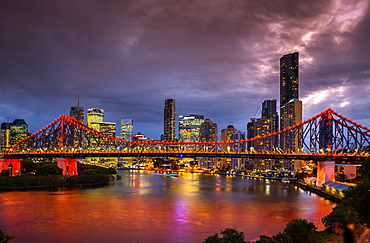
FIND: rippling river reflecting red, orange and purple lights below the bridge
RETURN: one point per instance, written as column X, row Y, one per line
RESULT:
column 144, row 207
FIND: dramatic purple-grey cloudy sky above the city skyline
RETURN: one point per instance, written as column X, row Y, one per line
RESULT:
column 219, row 58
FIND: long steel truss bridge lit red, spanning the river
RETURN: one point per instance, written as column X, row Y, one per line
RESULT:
column 326, row 136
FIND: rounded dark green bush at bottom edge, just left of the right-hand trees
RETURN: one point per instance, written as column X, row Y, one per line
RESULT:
column 299, row 230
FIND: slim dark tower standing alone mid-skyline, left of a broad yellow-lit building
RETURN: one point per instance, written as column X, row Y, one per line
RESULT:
column 169, row 120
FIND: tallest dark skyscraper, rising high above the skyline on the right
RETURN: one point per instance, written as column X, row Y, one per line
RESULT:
column 288, row 78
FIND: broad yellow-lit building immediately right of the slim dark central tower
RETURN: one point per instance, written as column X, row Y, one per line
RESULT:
column 189, row 127
